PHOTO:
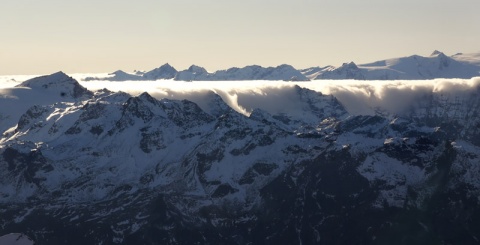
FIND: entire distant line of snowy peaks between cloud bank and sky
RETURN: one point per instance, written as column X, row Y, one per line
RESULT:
column 437, row 65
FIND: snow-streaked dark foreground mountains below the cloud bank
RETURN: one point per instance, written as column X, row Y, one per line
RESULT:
column 82, row 167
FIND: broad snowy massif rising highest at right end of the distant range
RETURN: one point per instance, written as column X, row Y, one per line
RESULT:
column 437, row 65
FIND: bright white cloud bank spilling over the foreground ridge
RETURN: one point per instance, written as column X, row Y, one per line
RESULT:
column 358, row 97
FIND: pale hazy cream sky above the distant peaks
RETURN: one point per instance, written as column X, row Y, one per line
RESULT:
column 41, row 37
